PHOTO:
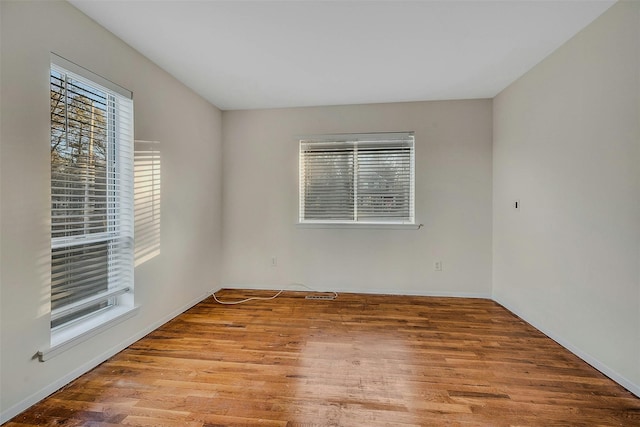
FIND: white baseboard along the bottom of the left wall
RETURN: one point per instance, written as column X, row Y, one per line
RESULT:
column 19, row 407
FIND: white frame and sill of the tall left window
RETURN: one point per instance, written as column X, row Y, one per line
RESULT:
column 88, row 315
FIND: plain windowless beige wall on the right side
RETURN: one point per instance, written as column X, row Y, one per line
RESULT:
column 567, row 144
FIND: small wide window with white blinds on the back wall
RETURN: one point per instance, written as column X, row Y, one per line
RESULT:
column 357, row 178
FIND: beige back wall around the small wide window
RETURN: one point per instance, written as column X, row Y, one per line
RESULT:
column 453, row 201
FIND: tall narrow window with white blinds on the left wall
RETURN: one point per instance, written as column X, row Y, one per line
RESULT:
column 91, row 194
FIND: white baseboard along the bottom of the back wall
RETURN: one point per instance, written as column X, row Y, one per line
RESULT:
column 405, row 292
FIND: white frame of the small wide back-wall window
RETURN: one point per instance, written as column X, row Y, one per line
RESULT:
column 391, row 141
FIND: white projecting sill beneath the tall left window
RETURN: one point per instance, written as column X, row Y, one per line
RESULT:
column 69, row 336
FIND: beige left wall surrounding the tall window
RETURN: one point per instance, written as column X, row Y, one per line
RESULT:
column 188, row 130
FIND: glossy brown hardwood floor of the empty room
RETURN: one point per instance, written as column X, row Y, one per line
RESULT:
column 360, row 360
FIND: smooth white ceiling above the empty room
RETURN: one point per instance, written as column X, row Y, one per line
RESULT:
column 265, row 54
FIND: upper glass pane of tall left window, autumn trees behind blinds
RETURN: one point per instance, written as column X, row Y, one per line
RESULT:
column 79, row 161
